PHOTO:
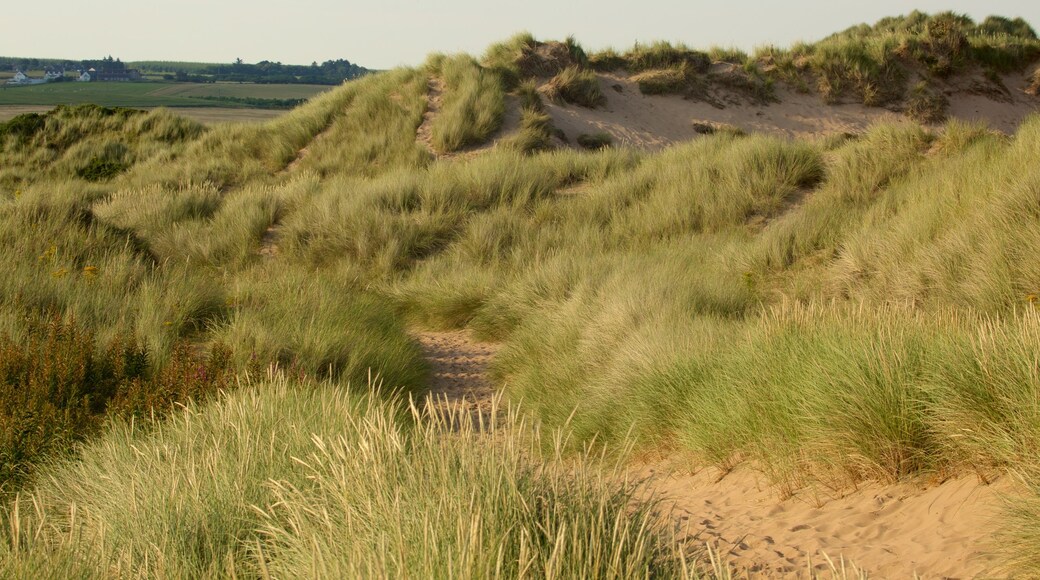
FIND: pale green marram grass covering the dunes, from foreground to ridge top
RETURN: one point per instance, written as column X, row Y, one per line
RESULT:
column 859, row 307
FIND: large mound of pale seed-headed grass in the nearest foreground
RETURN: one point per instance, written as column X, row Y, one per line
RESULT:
column 287, row 479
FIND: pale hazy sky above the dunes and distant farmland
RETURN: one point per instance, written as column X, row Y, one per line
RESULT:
column 386, row 34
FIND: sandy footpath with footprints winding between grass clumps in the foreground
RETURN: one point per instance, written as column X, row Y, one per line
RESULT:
column 887, row 531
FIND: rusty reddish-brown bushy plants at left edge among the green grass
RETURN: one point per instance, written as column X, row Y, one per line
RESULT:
column 58, row 387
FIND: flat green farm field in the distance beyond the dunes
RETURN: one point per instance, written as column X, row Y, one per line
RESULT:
column 150, row 94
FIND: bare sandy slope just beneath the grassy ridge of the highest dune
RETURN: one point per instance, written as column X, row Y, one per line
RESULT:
column 658, row 121
